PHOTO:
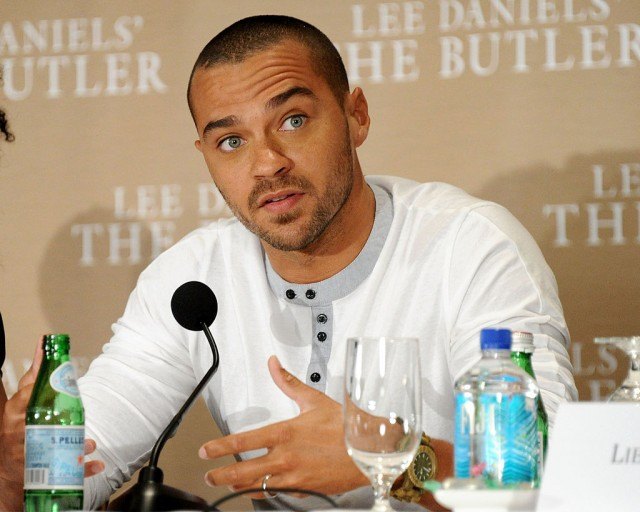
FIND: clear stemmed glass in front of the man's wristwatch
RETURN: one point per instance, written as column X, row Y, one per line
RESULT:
column 382, row 409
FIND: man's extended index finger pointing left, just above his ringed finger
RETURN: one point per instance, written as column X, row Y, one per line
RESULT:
column 234, row 444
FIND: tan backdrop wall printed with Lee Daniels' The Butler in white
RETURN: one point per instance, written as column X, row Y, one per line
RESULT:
column 534, row 104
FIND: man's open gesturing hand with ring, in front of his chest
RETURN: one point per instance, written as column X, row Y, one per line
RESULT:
column 305, row 452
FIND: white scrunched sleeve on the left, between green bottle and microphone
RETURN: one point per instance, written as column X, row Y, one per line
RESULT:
column 134, row 388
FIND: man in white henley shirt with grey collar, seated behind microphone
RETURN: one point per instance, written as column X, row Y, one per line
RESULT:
column 315, row 254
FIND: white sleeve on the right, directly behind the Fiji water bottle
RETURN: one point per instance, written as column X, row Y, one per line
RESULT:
column 498, row 278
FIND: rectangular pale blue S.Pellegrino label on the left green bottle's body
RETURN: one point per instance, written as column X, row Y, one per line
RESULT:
column 54, row 457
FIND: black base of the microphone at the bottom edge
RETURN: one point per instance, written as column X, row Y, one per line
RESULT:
column 151, row 495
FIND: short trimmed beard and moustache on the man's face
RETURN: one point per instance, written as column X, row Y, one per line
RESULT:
column 289, row 235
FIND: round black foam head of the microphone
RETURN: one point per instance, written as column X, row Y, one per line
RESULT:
column 193, row 303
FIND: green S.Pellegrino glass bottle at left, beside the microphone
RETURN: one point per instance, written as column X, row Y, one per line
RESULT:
column 54, row 436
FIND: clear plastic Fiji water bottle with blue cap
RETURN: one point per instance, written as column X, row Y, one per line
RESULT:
column 496, row 437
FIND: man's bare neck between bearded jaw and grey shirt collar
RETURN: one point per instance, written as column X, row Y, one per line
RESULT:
column 338, row 246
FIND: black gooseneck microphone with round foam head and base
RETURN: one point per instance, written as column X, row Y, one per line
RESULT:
column 194, row 306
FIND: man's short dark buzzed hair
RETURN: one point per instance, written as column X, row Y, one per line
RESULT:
column 254, row 34
